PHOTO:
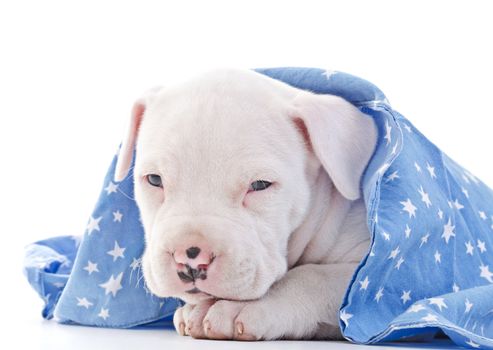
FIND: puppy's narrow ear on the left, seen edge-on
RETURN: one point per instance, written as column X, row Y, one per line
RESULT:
column 125, row 154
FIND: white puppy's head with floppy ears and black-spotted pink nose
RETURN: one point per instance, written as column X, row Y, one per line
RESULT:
column 223, row 174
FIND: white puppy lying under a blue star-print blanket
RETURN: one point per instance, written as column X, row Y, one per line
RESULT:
column 249, row 193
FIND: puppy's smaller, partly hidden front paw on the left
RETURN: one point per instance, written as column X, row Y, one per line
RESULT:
column 188, row 320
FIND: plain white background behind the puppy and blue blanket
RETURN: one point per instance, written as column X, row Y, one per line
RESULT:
column 70, row 71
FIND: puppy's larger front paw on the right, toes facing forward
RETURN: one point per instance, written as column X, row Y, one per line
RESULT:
column 237, row 320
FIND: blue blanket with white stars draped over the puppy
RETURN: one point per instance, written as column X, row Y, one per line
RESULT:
column 429, row 266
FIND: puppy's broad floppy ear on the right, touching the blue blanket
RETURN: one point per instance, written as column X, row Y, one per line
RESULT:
column 342, row 138
